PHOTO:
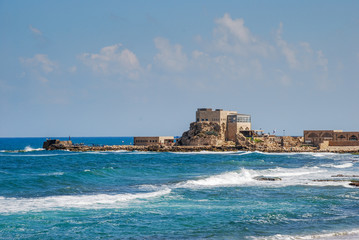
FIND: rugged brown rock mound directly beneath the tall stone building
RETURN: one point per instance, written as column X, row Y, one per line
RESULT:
column 203, row 134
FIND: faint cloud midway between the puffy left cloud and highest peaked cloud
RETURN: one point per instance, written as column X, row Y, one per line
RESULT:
column 170, row 56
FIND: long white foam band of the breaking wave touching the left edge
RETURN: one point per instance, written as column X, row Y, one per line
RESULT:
column 98, row 201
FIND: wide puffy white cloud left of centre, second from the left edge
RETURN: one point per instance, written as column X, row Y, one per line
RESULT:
column 112, row 60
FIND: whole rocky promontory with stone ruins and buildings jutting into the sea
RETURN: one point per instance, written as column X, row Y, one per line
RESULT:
column 219, row 130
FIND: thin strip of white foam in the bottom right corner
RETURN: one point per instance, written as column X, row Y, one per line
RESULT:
column 344, row 235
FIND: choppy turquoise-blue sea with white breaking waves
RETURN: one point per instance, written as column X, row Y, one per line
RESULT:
column 192, row 195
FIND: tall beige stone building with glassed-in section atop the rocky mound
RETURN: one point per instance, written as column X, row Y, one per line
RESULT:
column 232, row 121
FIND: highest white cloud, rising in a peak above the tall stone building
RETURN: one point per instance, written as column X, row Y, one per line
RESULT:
column 231, row 35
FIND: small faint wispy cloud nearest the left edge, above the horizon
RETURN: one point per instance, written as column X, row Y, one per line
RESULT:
column 39, row 66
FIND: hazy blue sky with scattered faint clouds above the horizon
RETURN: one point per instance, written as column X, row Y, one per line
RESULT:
column 142, row 68
